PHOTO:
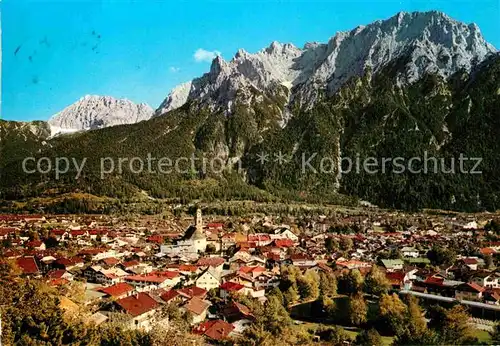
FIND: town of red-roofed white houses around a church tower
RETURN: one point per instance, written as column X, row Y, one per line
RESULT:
column 135, row 272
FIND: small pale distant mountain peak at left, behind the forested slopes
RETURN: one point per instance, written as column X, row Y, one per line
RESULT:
column 95, row 112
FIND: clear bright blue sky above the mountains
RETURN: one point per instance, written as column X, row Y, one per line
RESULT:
column 55, row 52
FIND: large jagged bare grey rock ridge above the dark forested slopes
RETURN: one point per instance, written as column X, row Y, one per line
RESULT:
column 419, row 42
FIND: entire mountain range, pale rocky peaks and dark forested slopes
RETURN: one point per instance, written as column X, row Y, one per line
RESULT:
column 412, row 84
